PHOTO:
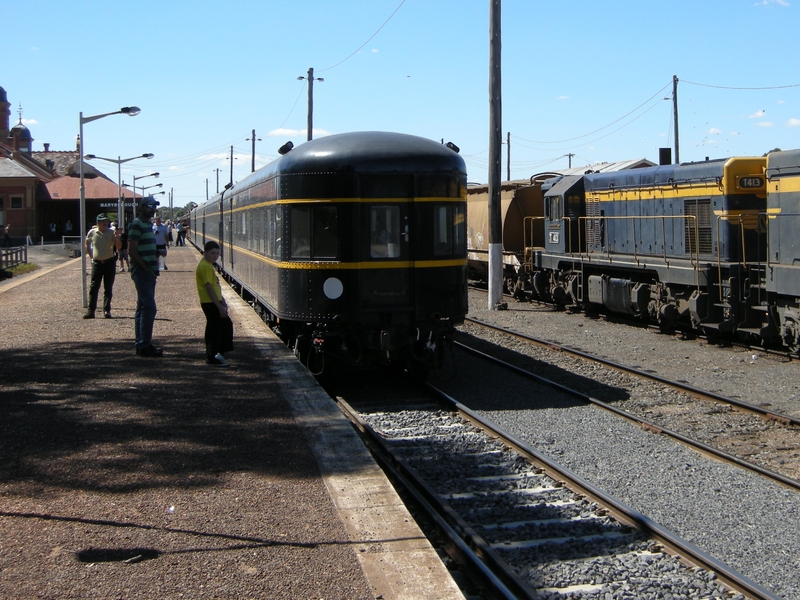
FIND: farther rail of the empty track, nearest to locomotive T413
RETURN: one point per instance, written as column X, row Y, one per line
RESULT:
column 684, row 387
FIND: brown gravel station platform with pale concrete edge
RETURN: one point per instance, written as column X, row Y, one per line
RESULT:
column 131, row 477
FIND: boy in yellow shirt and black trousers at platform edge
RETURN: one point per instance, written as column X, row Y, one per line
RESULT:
column 219, row 327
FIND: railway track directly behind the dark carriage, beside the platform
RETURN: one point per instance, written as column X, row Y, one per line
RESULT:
column 524, row 525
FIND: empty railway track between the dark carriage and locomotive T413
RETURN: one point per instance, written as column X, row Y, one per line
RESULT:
column 691, row 413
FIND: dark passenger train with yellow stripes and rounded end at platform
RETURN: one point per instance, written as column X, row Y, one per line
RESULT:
column 352, row 246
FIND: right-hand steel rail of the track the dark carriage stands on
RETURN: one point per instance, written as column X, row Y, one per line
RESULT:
column 677, row 546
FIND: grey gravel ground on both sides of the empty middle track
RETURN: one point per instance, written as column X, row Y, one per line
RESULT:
column 740, row 518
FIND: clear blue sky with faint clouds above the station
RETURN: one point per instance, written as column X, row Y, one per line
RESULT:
column 582, row 81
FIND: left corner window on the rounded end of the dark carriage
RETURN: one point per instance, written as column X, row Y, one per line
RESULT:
column 314, row 232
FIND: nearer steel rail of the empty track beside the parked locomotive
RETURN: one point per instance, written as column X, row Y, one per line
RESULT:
column 644, row 423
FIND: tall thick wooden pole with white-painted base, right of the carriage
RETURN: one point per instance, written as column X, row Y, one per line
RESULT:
column 495, row 154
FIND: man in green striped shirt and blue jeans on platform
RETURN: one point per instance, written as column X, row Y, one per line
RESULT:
column 144, row 272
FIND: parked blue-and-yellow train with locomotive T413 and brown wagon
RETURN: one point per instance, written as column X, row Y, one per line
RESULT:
column 713, row 244
